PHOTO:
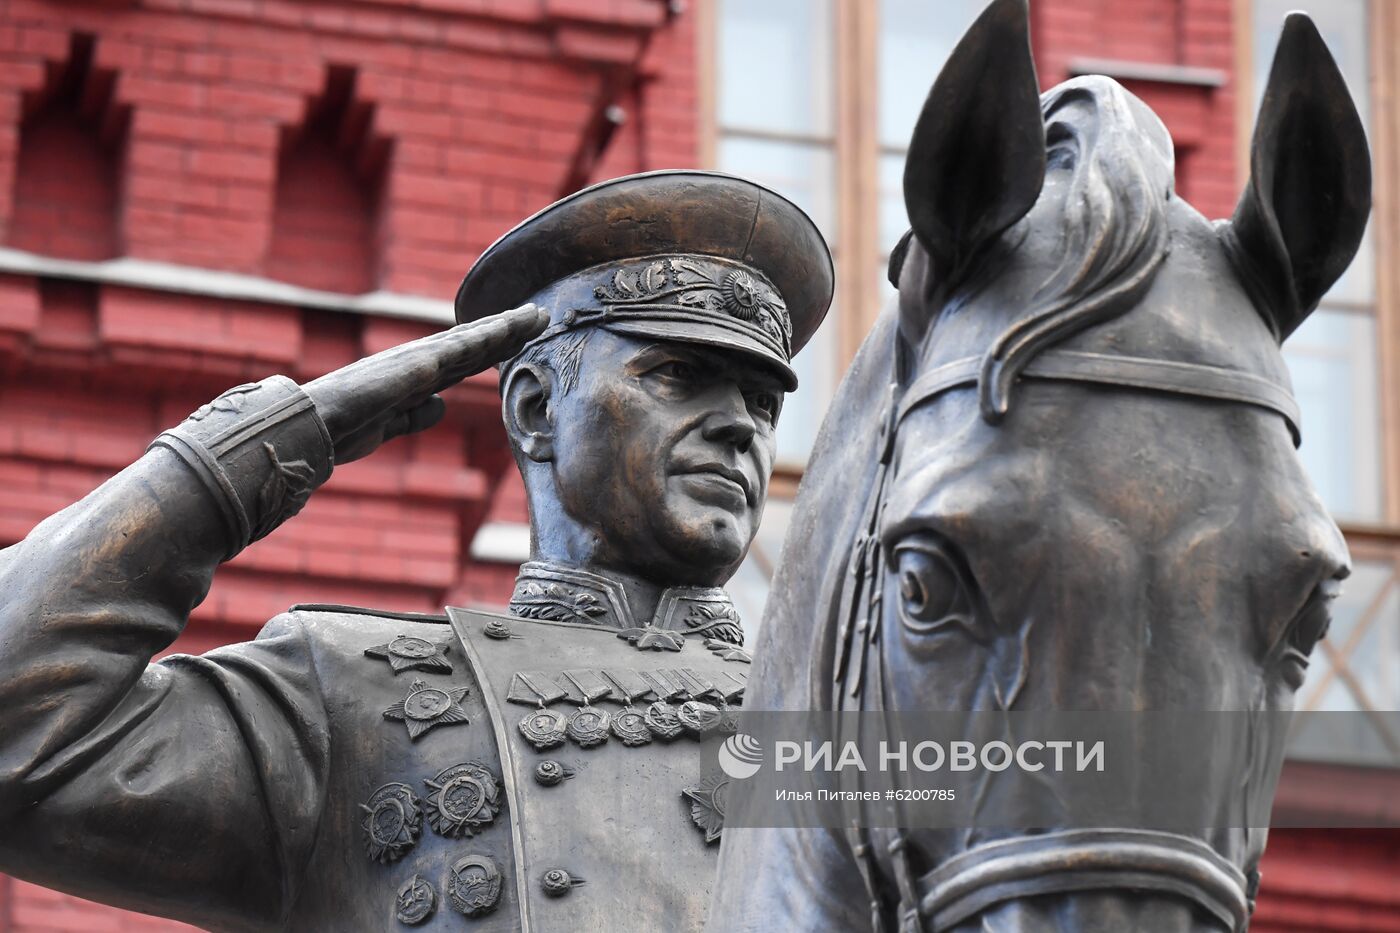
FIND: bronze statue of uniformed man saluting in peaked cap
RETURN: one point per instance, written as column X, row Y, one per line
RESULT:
column 353, row 770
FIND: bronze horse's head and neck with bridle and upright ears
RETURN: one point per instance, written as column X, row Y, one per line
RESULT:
column 1074, row 446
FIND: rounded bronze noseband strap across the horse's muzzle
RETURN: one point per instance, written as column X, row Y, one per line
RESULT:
column 1076, row 861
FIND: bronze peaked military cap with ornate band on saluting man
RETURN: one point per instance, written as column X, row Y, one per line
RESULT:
column 681, row 256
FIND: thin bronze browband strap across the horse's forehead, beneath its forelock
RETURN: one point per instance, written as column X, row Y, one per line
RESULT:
column 1199, row 380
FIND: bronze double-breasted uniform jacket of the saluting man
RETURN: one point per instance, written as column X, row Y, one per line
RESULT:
column 346, row 770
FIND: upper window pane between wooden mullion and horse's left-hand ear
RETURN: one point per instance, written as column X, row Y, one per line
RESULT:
column 916, row 39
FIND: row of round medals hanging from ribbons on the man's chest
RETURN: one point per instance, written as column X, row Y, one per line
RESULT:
column 656, row 705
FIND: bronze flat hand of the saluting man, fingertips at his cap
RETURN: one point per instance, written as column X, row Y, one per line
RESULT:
column 397, row 392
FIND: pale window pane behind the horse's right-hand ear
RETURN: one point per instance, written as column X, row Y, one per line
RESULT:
column 1343, row 26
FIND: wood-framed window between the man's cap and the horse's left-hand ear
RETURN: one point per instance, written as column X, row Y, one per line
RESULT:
column 817, row 100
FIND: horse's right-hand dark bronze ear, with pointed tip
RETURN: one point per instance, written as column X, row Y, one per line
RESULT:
column 1303, row 215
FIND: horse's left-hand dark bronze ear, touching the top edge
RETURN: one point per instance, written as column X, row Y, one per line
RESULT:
column 978, row 159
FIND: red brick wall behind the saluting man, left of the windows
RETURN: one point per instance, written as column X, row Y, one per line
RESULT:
column 342, row 145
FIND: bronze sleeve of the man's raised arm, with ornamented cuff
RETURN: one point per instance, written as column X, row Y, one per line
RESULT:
column 191, row 788
